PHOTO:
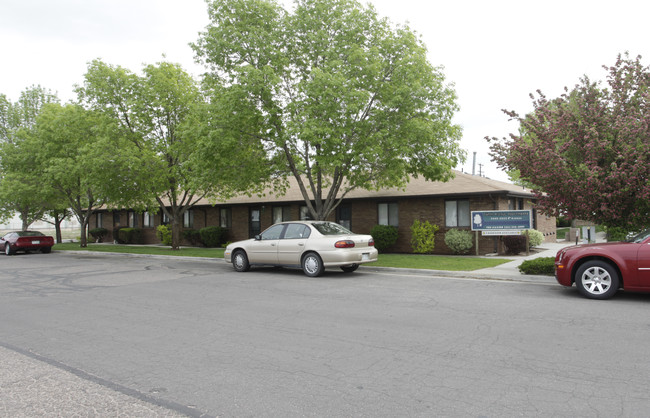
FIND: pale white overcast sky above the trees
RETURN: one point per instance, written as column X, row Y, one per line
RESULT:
column 495, row 52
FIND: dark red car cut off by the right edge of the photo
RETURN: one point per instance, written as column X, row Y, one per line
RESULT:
column 599, row 270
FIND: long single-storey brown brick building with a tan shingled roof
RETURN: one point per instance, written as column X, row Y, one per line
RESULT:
column 447, row 205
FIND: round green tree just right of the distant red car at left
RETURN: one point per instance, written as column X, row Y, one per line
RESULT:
column 72, row 152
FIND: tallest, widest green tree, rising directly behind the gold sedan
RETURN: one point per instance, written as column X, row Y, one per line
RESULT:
column 338, row 97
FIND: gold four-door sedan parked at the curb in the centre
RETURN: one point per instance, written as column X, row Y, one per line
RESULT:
column 309, row 245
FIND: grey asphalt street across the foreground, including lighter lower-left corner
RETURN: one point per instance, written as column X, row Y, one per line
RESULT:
column 112, row 335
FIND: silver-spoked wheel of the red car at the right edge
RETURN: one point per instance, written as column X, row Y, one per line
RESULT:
column 597, row 280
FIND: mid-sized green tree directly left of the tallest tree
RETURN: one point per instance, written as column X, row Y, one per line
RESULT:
column 165, row 119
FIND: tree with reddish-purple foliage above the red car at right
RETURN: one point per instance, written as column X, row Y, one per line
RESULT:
column 587, row 152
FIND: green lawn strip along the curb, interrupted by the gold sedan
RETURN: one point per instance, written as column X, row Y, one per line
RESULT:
column 415, row 261
